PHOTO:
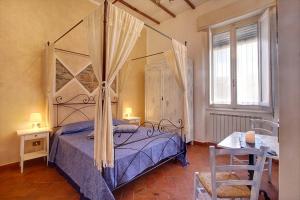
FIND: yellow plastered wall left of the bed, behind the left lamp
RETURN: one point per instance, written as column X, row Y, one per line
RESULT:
column 25, row 27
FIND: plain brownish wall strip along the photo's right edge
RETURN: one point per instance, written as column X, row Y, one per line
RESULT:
column 289, row 94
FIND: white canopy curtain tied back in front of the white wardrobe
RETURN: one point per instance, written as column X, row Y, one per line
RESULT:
column 177, row 60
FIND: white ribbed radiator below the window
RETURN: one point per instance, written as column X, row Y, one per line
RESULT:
column 222, row 125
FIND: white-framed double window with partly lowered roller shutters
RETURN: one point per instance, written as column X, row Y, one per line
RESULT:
column 239, row 64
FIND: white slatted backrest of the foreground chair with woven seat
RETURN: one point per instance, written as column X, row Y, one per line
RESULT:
column 257, row 168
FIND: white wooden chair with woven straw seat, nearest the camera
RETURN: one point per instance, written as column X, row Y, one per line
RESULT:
column 222, row 183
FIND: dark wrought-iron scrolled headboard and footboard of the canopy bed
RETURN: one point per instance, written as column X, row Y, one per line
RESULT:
column 82, row 101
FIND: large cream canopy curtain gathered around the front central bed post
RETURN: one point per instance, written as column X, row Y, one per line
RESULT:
column 122, row 34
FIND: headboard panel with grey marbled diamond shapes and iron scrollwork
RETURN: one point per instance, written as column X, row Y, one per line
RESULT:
column 75, row 89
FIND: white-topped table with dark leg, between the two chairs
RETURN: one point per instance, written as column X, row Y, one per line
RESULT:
column 233, row 141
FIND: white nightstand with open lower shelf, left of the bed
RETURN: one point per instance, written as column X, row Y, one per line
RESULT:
column 32, row 134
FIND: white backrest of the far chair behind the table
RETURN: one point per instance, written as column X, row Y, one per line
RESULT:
column 265, row 127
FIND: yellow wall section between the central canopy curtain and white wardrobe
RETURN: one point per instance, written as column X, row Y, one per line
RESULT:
column 132, row 81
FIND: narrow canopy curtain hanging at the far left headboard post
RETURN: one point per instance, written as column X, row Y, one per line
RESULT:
column 50, row 78
